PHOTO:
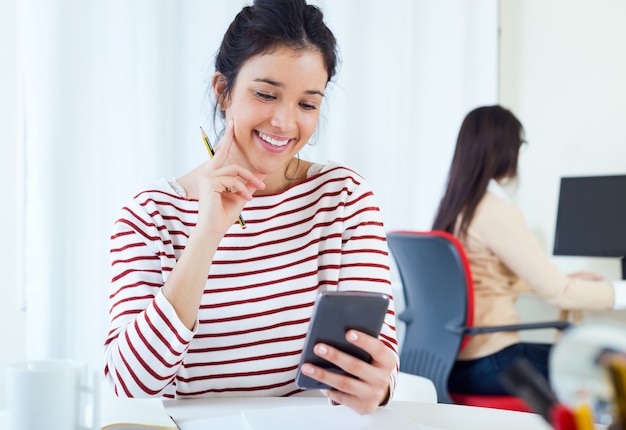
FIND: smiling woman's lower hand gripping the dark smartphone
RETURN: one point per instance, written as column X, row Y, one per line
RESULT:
column 370, row 388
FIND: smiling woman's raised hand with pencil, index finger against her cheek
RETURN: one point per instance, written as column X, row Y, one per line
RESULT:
column 224, row 188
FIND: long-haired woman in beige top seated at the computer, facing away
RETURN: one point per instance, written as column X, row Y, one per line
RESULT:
column 504, row 256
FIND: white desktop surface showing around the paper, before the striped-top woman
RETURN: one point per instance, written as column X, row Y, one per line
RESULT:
column 451, row 417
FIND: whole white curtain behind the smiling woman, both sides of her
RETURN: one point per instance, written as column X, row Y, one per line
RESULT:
column 114, row 92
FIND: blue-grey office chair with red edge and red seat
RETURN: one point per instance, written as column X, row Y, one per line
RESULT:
column 439, row 308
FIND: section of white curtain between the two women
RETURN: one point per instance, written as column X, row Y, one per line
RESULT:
column 410, row 71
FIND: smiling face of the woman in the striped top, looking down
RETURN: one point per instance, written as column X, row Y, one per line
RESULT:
column 275, row 105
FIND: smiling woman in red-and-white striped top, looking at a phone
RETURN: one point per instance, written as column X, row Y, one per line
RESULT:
column 200, row 306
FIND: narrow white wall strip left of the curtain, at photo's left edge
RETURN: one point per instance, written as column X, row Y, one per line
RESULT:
column 11, row 315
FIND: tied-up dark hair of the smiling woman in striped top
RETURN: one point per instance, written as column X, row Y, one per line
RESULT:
column 268, row 25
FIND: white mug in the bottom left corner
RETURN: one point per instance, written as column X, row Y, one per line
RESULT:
column 51, row 395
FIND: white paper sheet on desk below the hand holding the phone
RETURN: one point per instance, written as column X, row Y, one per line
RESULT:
column 327, row 417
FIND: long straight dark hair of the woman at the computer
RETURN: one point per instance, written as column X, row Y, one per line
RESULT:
column 487, row 148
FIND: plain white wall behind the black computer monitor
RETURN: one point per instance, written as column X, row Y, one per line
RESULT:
column 562, row 73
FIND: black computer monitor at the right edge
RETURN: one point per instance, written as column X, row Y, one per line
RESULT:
column 591, row 218
